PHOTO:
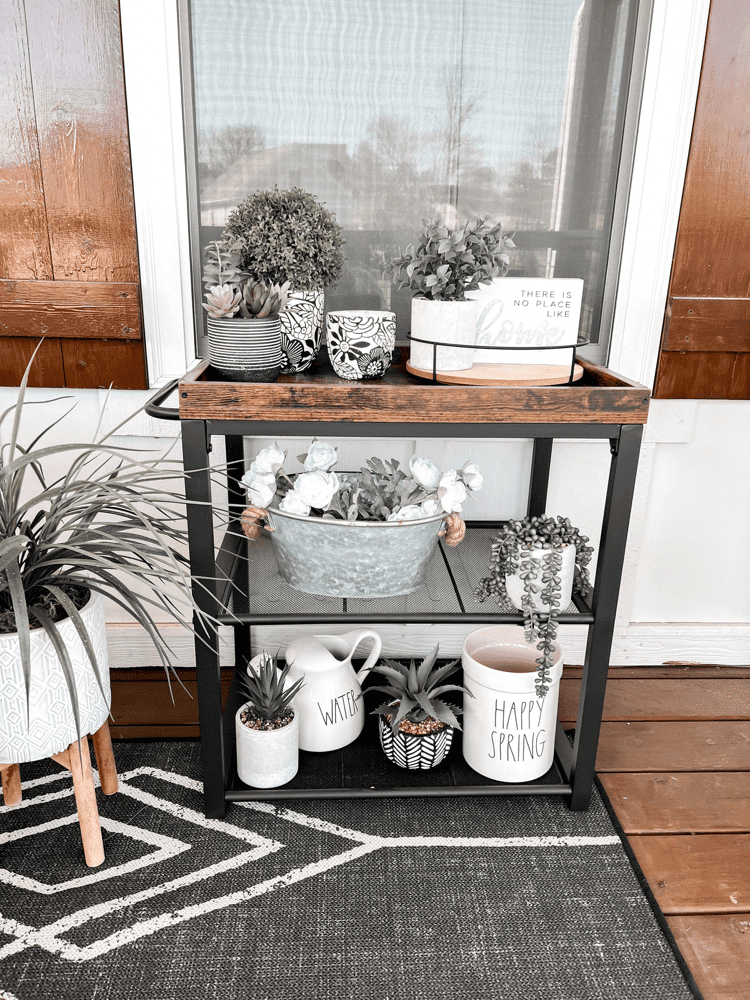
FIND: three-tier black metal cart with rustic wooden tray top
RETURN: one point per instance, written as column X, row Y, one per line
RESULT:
column 246, row 590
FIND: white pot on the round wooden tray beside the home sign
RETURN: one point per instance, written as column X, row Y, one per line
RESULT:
column 442, row 323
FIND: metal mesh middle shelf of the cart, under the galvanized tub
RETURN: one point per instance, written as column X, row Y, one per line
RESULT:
column 253, row 591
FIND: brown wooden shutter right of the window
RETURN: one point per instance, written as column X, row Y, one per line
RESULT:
column 706, row 336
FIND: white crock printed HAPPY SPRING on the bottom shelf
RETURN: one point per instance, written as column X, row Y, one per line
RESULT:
column 509, row 734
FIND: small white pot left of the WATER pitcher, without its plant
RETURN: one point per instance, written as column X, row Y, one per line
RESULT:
column 267, row 759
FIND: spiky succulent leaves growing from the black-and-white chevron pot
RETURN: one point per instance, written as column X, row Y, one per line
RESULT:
column 416, row 691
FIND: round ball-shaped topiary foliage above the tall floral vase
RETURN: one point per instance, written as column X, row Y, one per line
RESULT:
column 287, row 236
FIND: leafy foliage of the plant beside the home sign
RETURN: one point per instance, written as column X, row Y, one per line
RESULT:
column 447, row 264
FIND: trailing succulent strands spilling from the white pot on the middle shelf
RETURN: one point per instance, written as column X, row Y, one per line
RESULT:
column 511, row 555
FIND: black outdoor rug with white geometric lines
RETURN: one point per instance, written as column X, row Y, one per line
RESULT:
column 465, row 898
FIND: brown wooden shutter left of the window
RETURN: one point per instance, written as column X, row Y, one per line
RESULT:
column 69, row 256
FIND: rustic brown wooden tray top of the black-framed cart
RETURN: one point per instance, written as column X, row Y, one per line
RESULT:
column 601, row 397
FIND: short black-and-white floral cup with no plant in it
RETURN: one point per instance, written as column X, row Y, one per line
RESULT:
column 361, row 342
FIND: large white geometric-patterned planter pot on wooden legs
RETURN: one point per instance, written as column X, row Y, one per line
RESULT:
column 53, row 725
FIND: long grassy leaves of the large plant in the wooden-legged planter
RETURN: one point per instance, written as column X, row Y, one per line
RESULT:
column 106, row 526
